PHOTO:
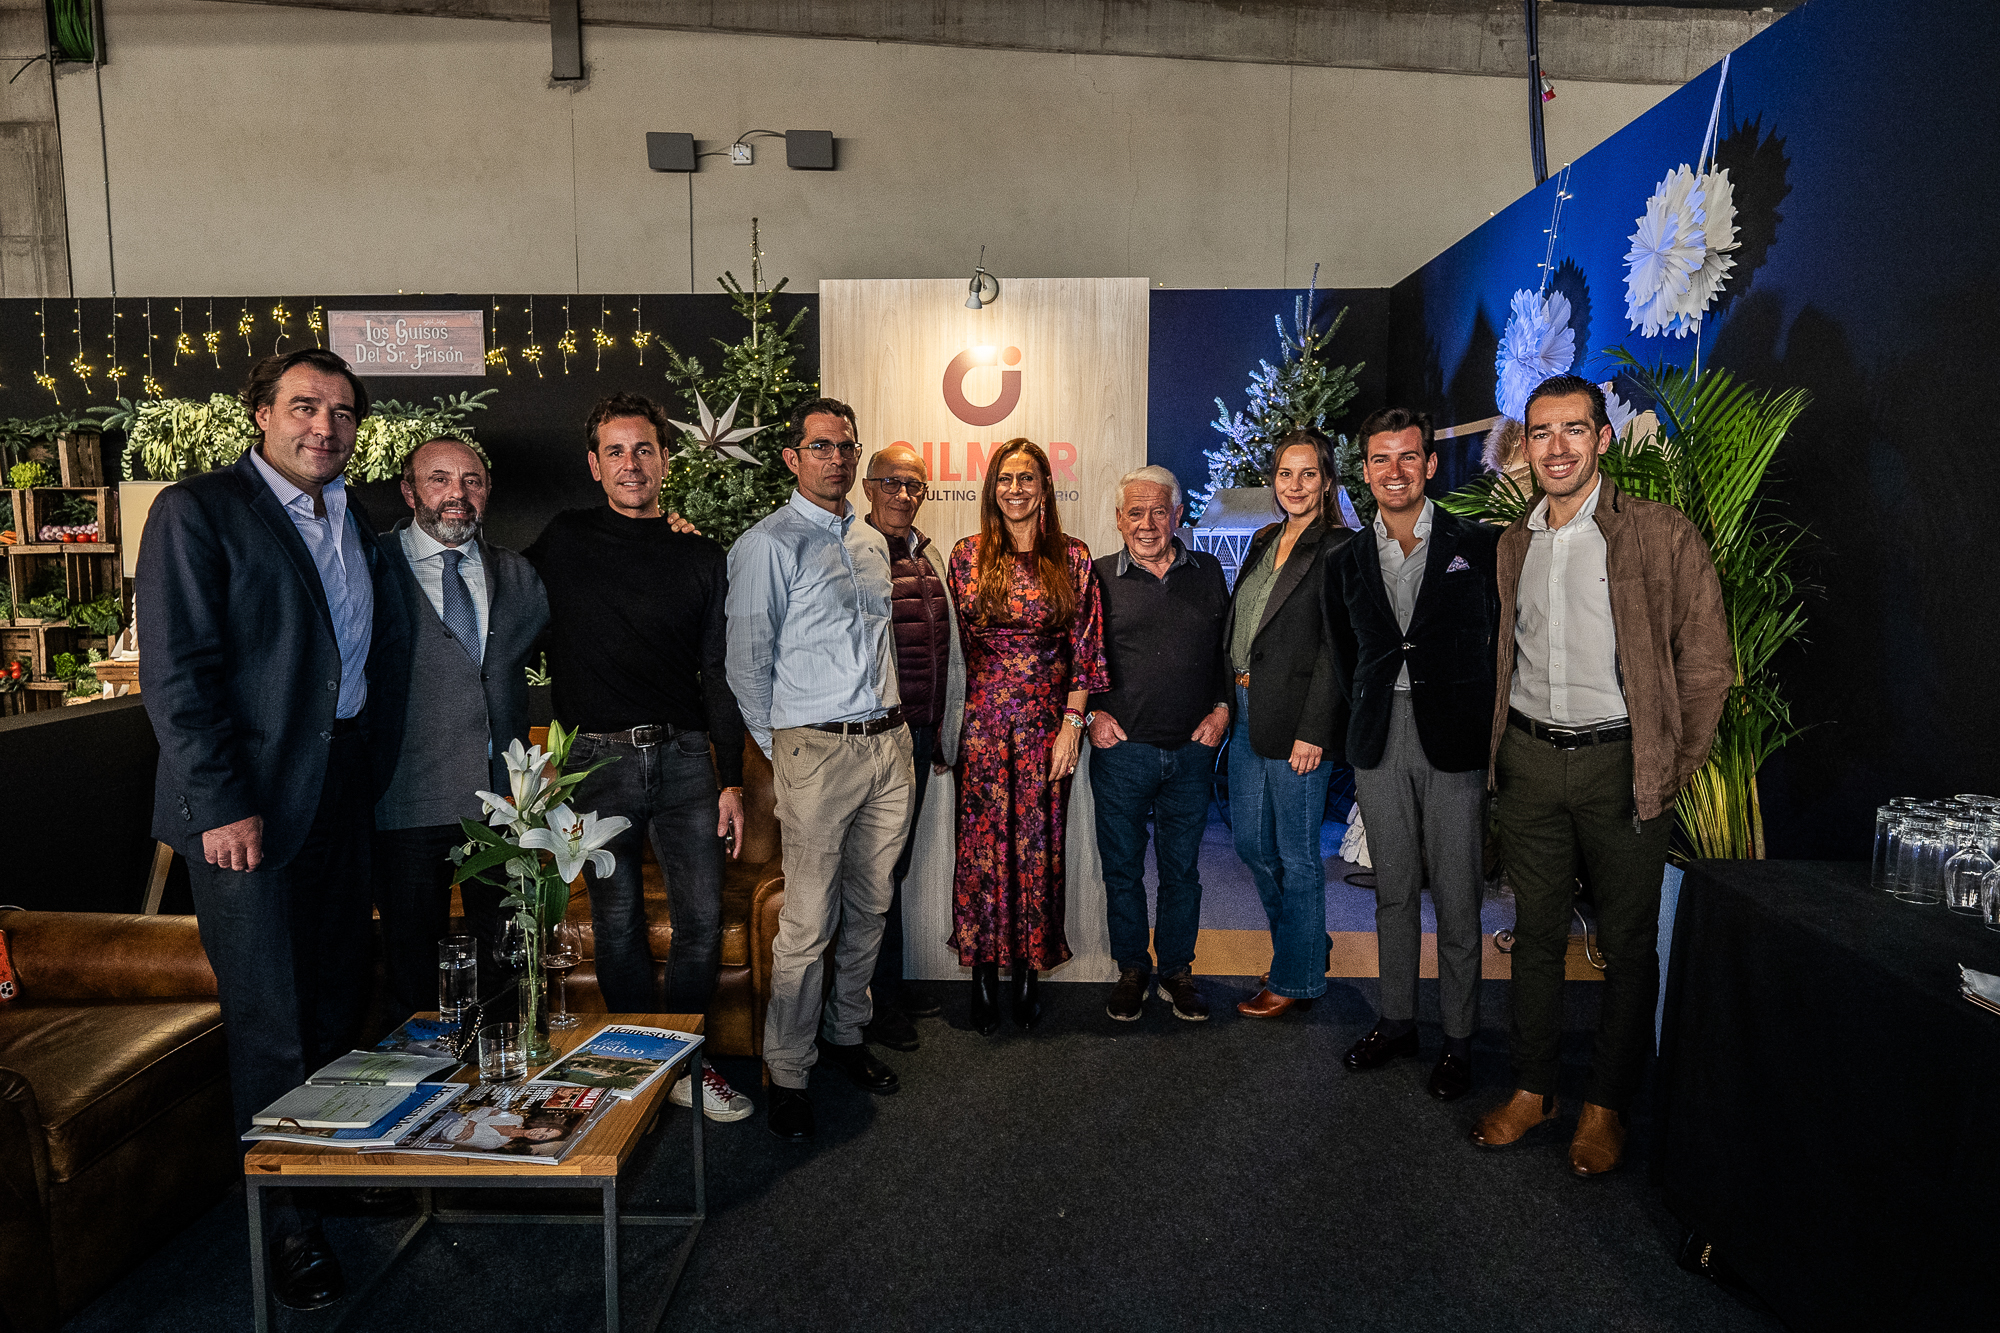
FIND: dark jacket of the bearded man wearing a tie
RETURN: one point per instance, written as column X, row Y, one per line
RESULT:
column 517, row 617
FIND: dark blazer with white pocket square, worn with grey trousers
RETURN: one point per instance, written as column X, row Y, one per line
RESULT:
column 1449, row 645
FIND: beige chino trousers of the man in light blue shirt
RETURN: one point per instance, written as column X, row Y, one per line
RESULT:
column 845, row 812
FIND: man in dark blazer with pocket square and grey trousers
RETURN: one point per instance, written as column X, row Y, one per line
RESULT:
column 1423, row 609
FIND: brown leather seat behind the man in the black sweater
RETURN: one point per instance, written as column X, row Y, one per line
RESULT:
column 737, row 1012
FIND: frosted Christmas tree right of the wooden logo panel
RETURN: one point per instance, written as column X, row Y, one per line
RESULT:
column 1301, row 391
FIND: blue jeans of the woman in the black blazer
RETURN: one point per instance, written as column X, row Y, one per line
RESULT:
column 1277, row 816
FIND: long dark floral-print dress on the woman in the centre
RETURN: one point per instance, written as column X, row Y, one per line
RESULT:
column 1007, row 894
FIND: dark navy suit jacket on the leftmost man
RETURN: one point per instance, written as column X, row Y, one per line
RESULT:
column 241, row 670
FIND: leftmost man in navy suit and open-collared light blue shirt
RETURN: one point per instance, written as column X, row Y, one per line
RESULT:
column 271, row 613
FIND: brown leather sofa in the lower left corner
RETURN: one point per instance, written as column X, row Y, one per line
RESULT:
column 115, row 1104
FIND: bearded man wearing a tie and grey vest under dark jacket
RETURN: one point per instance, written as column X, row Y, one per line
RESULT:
column 475, row 613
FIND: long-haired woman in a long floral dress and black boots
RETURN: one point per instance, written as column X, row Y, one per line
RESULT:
column 1033, row 631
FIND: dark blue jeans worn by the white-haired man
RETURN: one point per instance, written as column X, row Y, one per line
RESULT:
column 1129, row 784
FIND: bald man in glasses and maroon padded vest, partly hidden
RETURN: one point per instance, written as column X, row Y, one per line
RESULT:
column 931, row 674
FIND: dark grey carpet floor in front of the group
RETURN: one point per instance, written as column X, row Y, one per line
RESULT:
column 1095, row 1176
